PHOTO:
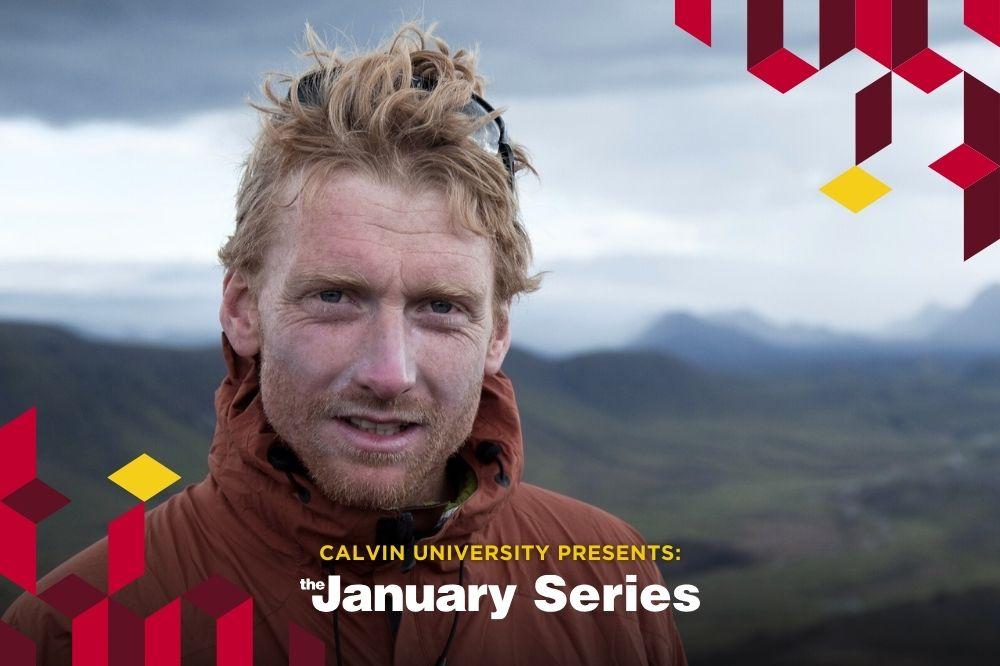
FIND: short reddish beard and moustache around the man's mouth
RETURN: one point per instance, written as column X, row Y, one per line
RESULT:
column 352, row 476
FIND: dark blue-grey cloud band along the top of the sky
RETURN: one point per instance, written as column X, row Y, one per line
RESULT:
column 151, row 60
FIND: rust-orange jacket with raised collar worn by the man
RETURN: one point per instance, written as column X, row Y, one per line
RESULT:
column 258, row 521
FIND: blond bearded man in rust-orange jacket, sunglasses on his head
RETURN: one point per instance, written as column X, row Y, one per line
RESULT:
column 365, row 315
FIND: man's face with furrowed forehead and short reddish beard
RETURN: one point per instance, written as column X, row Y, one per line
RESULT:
column 375, row 329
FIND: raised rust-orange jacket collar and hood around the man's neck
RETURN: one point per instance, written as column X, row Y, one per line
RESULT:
column 279, row 504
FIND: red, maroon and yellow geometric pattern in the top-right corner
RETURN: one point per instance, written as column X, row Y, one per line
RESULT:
column 893, row 33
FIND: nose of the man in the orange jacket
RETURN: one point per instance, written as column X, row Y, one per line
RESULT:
column 388, row 368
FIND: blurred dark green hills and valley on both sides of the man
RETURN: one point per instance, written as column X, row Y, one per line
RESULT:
column 807, row 502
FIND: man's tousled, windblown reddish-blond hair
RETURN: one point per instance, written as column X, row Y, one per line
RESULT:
column 361, row 114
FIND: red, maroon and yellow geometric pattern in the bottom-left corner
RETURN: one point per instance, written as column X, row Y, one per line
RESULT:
column 103, row 631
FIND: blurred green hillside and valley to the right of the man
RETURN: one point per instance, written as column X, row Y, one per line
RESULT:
column 827, row 492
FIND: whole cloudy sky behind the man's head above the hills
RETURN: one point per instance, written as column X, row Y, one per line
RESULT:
column 670, row 178
